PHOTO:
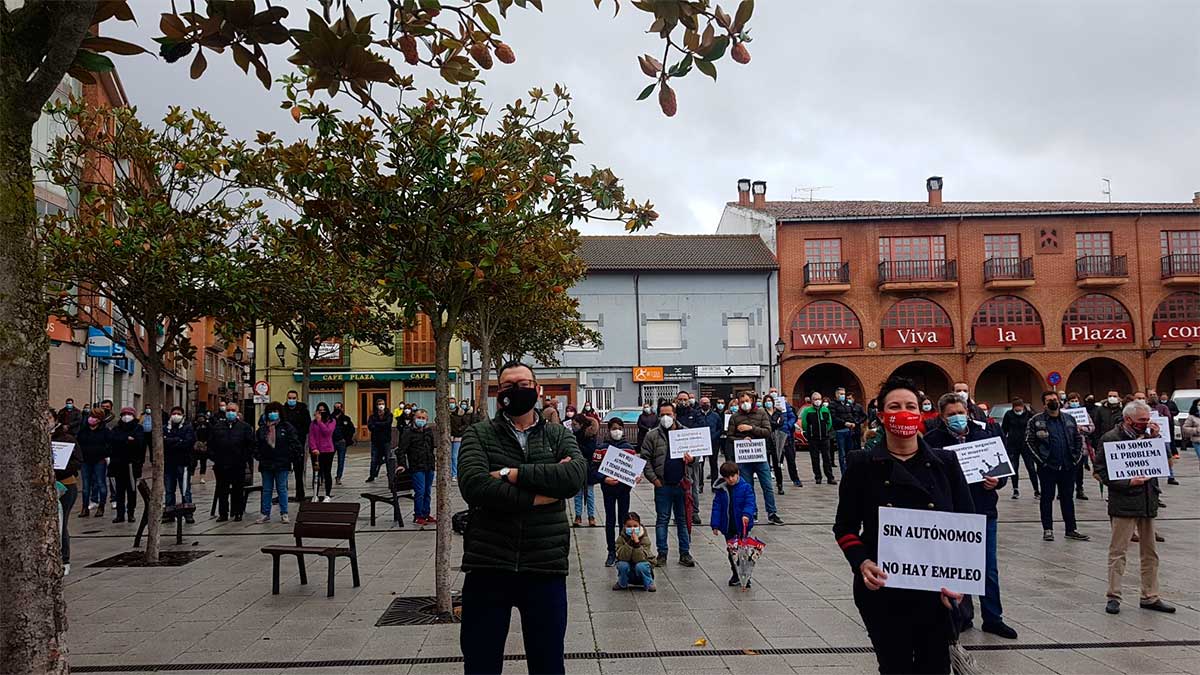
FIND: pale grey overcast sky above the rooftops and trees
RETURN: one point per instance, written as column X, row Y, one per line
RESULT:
column 1007, row 100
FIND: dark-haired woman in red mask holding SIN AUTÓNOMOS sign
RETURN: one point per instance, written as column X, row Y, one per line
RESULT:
column 911, row 631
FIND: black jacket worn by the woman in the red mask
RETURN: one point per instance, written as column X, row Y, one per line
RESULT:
column 932, row 480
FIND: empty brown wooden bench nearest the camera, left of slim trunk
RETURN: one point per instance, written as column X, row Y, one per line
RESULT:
column 328, row 521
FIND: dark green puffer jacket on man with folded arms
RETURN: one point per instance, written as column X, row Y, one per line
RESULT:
column 507, row 533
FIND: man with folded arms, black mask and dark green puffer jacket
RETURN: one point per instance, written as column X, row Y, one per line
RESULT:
column 515, row 473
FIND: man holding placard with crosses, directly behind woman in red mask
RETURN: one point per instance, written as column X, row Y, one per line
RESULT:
column 956, row 429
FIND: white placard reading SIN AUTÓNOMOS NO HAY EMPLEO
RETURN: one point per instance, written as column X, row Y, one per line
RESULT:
column 931, row 551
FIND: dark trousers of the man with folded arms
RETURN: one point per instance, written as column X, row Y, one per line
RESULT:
column 488, row 602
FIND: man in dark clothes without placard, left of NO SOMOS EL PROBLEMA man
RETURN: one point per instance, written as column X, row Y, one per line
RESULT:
column 1058, row 447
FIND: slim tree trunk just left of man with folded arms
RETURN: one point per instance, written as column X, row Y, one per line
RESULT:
column 442, row 334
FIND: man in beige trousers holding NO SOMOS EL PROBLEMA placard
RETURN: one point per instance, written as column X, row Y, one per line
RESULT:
column 1133, row 506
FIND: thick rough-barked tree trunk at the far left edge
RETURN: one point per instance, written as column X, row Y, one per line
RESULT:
column 33, row 613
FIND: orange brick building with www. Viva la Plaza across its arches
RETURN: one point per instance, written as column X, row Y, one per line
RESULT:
column 1005, row 296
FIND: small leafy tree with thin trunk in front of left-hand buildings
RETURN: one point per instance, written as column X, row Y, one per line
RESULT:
column 160, row 232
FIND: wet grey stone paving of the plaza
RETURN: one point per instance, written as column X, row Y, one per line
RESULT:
column 218, row 614
